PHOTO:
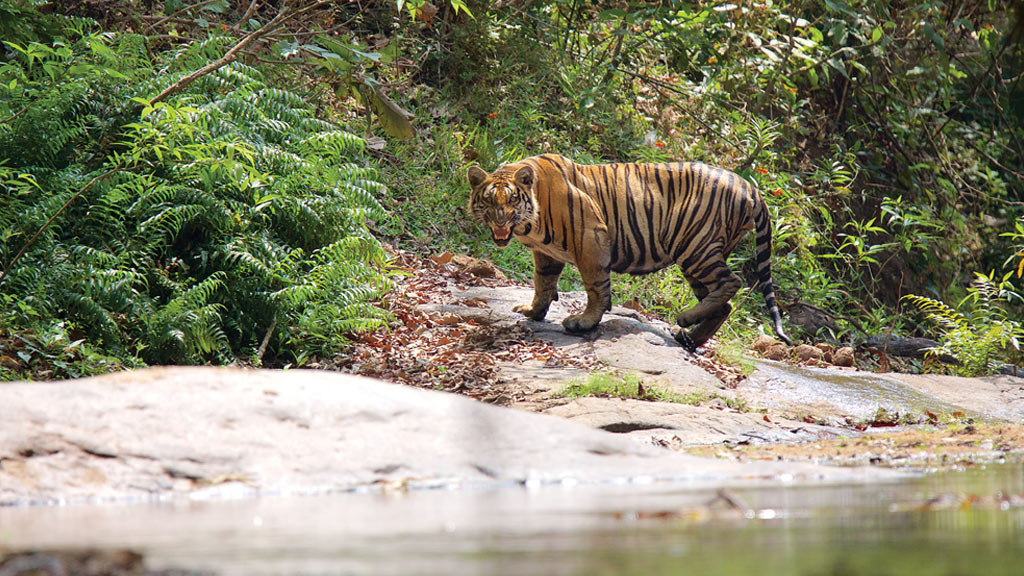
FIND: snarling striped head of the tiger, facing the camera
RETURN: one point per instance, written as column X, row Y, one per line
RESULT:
column 503, row 200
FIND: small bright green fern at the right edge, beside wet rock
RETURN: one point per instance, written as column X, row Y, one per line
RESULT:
column 979, row 331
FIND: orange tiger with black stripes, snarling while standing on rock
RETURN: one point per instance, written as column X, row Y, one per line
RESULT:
column 628, row 218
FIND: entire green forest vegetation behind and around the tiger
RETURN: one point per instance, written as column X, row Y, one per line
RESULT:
column 210, row 182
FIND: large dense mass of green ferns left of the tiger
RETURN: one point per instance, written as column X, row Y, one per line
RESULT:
column 187, row 231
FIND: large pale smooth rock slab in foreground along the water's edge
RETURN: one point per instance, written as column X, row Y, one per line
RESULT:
column 222, row 432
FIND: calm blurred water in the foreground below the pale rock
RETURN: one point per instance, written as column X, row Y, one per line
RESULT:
column 955, row 523
